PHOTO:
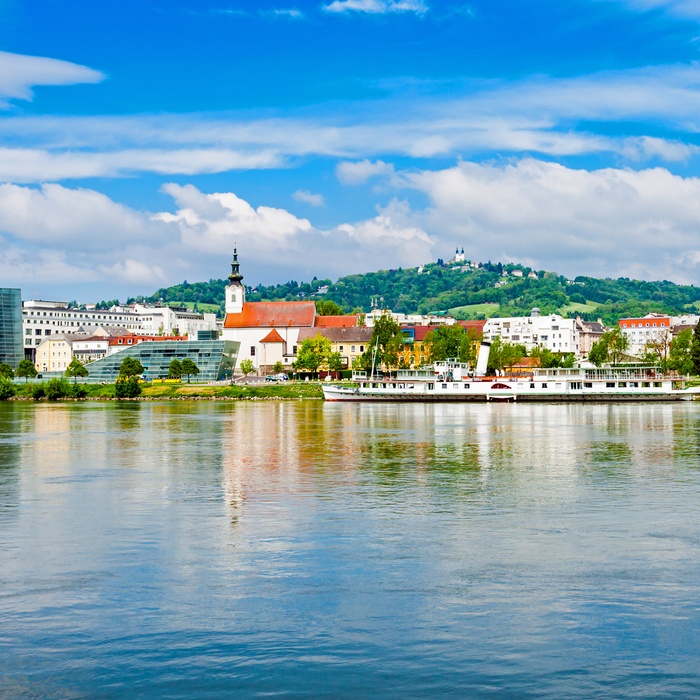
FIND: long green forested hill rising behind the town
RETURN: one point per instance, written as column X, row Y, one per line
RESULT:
column 465, row 292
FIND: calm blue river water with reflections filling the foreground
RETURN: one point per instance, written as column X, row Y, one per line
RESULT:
column 297, row 549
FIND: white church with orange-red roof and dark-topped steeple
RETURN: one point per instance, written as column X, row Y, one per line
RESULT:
column 268, row 331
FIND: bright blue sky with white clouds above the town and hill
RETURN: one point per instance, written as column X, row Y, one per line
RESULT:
column 141, row 140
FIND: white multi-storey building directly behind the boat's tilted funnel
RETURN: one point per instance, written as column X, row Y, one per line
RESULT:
column 553, row 332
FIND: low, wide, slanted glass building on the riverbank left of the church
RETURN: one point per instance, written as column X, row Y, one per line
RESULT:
column 216, row 359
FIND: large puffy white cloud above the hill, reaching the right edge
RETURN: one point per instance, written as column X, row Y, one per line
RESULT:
column 609, row 222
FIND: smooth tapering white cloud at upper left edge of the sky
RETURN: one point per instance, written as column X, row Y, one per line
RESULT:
column 18, row 74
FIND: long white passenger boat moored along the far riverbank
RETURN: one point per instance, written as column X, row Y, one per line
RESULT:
column 453, row 381
